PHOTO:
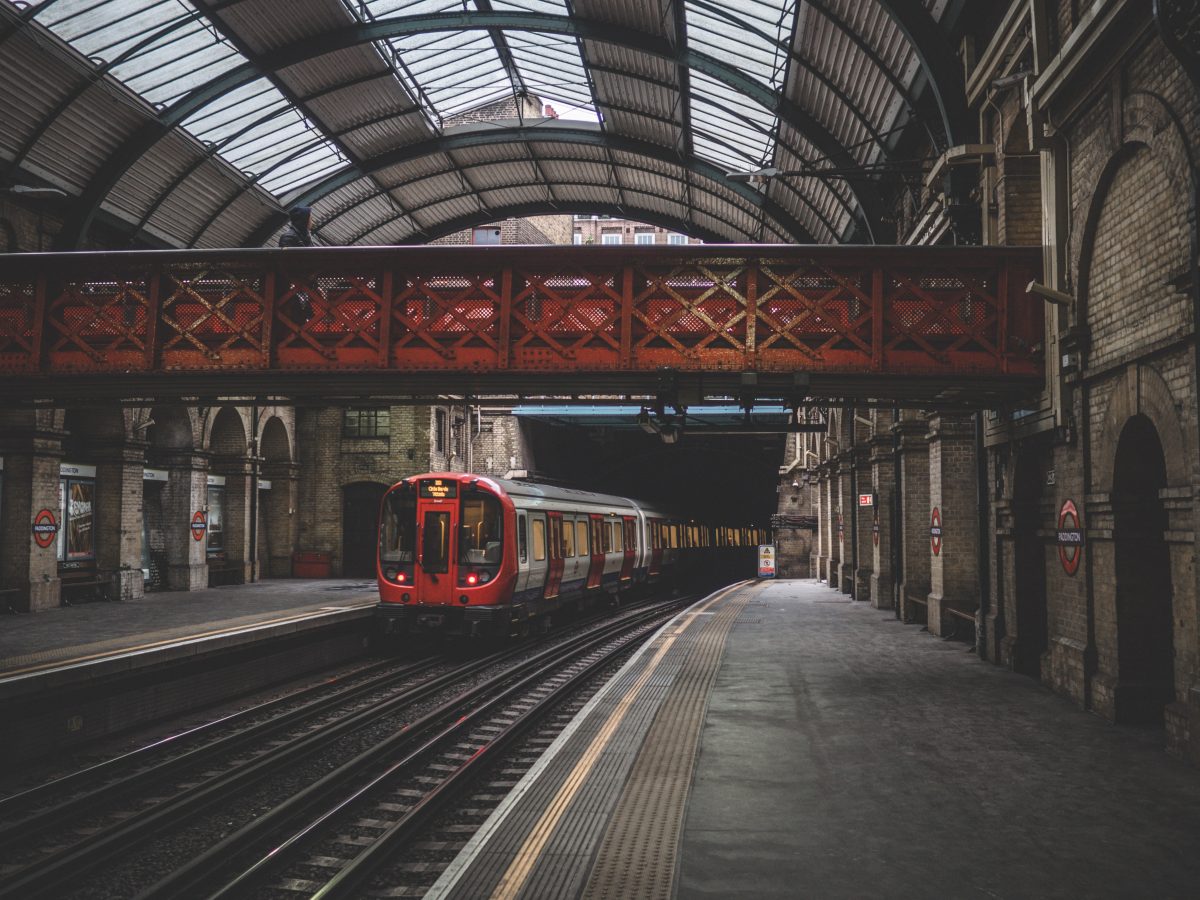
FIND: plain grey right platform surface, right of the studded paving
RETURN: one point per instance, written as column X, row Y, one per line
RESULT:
column 847, row 755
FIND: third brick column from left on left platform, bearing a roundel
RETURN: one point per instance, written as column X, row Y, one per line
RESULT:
column 185, row 495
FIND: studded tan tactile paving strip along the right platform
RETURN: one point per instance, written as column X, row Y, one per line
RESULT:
column 638, row 857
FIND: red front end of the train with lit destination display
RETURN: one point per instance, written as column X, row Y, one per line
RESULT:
column 447, row 560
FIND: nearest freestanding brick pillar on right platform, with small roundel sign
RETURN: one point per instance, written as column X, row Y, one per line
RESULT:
column 955, row 568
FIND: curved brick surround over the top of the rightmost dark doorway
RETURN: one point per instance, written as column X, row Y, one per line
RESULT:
column 1143, row 391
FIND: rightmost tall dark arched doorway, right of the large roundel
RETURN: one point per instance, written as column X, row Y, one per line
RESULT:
column 1145, row 637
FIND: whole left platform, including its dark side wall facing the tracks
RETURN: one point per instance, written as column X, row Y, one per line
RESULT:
column 76, row 674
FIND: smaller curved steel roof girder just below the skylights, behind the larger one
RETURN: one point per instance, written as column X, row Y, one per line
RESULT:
column 575, row 134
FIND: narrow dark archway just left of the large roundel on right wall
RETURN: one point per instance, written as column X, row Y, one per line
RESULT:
column 1030, row 565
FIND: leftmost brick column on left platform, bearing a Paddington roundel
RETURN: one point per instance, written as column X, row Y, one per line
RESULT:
column 31, row 484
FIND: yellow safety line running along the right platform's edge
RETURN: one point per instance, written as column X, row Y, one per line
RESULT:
column 521, row 868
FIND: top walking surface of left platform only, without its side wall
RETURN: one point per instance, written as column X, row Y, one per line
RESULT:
column 103, row 629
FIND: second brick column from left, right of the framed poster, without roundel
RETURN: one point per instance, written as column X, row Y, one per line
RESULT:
column 119, row 470
